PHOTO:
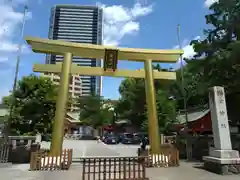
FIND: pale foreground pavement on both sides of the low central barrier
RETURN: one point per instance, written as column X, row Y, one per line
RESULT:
column 186, row 171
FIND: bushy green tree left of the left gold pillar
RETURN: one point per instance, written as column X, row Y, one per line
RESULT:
column 33, row 106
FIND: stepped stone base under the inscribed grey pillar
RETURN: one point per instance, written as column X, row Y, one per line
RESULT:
column 223, row 162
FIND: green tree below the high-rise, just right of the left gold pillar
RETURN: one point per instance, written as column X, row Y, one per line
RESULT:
column 93, row 112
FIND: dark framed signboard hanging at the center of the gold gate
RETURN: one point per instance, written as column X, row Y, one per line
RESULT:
column 110, row 60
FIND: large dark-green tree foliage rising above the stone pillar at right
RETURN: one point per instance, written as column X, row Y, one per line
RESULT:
column 216, row 62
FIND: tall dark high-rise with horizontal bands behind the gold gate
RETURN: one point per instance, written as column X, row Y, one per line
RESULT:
column 80, row 24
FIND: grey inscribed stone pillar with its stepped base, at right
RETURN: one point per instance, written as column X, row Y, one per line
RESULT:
column 222, row 159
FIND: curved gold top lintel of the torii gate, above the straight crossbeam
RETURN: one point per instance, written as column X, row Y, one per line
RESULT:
column 40, row 45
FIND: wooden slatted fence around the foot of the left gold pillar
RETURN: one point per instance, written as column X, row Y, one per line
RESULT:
column 42, row 161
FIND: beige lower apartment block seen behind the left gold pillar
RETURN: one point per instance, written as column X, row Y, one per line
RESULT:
column 75, row 86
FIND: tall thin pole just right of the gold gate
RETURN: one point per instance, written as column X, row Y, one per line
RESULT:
column 184, row 94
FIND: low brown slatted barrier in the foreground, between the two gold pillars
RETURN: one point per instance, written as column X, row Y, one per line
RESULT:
column 113, row 168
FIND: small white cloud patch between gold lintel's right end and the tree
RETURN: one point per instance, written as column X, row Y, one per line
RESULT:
column 188, row 52
